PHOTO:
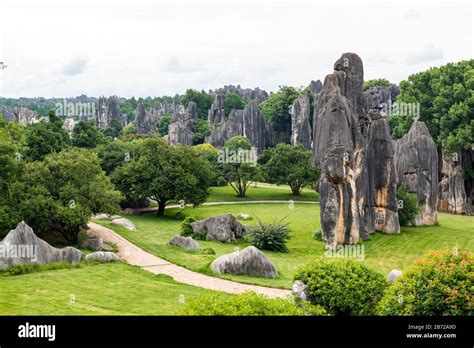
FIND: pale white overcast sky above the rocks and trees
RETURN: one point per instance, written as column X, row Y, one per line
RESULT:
column 144, row 48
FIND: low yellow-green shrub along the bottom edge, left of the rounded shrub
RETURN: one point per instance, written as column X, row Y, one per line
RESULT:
column 247, row 304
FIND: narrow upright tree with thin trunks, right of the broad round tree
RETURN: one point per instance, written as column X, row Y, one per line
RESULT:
column 237, row 171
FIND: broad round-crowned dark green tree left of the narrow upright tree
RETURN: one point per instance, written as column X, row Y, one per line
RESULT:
column 164, row 173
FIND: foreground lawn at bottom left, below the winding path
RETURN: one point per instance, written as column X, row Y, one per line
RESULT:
column 104, row 289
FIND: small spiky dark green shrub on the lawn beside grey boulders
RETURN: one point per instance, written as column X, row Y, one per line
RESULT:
column 272, row 237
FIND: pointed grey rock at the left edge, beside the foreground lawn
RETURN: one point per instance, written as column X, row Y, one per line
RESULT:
column 21, row 246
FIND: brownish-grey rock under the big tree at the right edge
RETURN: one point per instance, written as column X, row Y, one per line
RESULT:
column 452, row 195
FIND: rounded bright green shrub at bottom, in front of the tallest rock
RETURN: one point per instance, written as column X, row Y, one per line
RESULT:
column 342, row 287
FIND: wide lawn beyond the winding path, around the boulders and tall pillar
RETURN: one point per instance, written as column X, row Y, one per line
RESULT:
column 383, row 252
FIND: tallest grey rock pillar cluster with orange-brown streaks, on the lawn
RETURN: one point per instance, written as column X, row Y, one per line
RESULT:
column 353, row 148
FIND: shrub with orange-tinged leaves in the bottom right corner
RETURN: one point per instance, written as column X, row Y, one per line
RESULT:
column 440, row 284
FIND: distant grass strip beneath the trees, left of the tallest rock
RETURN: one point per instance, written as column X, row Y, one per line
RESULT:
column 226, row 194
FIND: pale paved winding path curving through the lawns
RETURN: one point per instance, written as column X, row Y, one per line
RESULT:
column 151, row 263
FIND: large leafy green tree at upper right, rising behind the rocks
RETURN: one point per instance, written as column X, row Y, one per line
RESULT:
column 446, row 97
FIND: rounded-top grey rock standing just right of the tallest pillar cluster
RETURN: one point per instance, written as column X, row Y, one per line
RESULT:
column 417, row 168
